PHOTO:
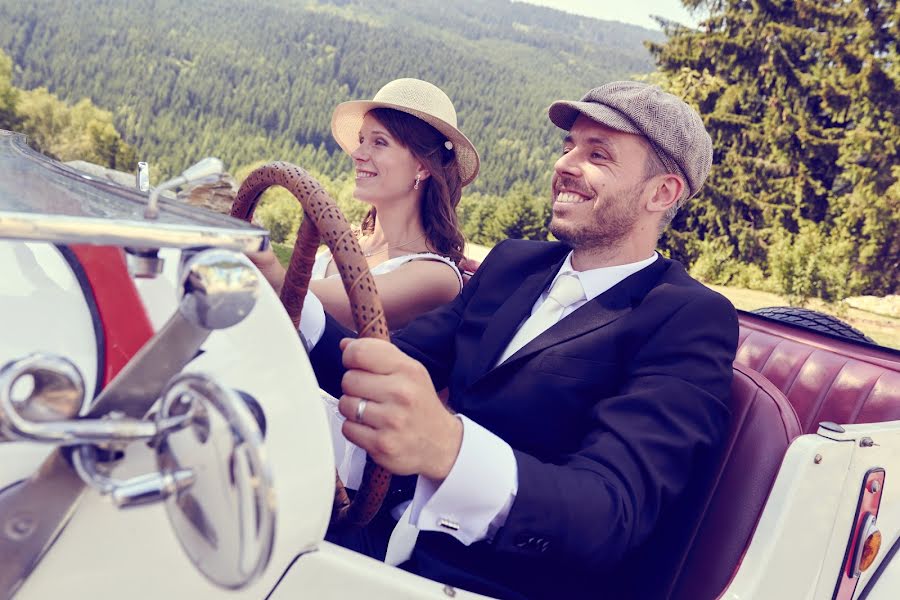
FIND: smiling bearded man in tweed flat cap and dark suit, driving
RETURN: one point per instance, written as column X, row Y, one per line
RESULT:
column 588, row 378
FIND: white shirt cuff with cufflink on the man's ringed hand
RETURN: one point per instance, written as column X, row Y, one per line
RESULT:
column 473, row 502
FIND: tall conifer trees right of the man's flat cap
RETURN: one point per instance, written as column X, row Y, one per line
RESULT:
column 801, row 99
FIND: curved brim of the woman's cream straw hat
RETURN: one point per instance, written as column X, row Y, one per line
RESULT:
column 347, row 118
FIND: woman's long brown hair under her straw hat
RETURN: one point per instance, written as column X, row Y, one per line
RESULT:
column 443, row 188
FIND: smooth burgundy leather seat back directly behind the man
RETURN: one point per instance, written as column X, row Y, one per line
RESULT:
column 762, row 427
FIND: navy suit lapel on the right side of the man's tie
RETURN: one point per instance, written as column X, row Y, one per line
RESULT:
column 602, row 310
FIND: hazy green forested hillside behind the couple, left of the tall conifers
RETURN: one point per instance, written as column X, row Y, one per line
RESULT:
column 257, row 80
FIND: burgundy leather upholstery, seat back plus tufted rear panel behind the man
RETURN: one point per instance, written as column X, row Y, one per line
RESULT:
column 805, row 378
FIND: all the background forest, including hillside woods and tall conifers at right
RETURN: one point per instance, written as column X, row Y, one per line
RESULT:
column 800, row 96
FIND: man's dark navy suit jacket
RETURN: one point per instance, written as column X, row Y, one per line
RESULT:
column 612, row 414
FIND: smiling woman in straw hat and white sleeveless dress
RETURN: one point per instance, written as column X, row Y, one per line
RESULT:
column 411, row 164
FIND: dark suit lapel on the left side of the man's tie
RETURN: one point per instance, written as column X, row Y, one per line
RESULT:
column 509, row 316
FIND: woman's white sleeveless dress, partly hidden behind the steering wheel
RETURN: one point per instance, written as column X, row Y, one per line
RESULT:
column 349, row 458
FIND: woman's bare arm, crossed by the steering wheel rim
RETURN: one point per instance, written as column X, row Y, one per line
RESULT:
column 406, row 292
